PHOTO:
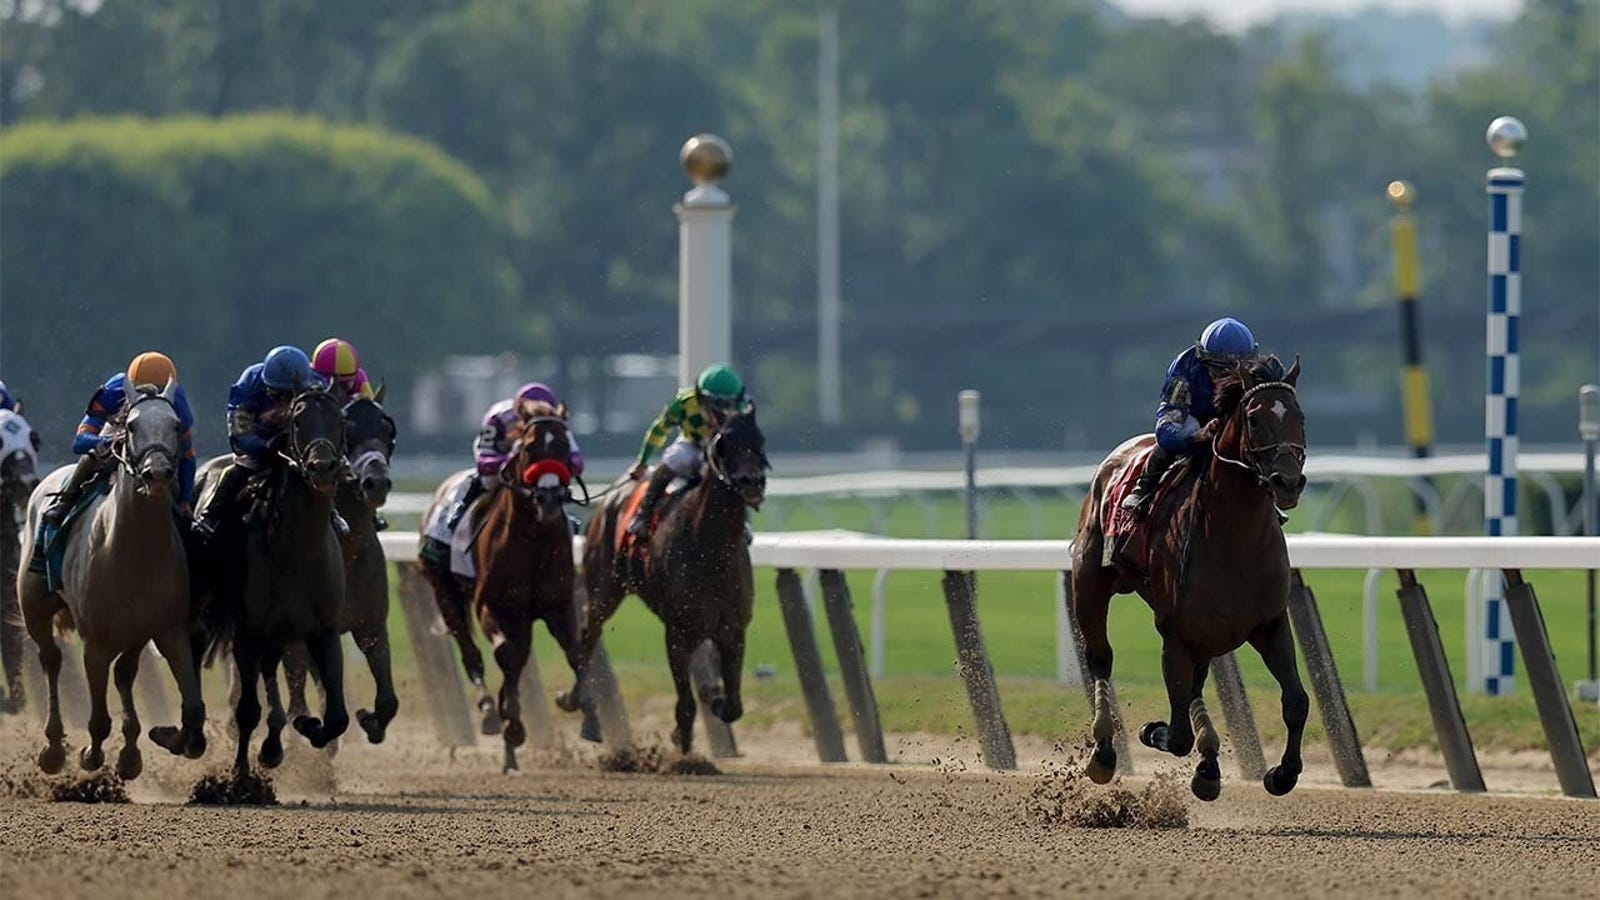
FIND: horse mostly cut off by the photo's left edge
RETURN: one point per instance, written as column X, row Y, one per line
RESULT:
column 18, row 478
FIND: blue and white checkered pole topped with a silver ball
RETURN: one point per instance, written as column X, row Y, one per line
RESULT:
column 1505, row 137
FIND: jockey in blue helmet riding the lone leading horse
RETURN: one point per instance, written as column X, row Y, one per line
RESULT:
column 1188, row 403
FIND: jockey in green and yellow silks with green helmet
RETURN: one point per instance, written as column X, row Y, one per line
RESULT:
column 695, row 412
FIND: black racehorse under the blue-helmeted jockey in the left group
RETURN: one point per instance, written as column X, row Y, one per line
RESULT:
column 292, row 585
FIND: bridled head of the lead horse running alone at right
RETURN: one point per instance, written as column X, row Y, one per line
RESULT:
column 1266, row 428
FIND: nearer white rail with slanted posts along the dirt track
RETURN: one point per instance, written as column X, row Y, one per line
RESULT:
column 833, row 553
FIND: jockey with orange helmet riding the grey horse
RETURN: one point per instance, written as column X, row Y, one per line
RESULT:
column 94, row 441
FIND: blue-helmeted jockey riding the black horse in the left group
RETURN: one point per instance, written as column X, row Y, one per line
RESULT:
column 257, row 411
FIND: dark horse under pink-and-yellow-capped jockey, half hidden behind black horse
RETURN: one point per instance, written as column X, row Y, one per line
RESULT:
column 370, row 443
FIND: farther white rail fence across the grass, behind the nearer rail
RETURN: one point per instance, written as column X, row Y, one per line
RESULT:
column 1343, row 476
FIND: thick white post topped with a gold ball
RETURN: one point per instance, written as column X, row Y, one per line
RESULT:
column 705, row 259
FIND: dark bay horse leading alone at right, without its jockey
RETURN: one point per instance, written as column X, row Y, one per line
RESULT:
column 1218, row 574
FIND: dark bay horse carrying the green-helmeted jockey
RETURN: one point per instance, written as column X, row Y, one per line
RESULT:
column 694, row 573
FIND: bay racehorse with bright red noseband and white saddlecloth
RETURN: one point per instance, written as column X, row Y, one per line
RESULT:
column 524, row 573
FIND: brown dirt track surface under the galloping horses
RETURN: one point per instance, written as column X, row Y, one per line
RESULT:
column 398, row 824
